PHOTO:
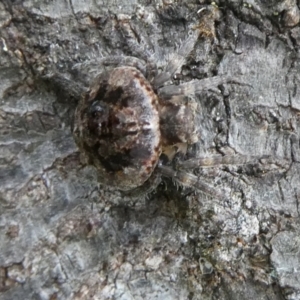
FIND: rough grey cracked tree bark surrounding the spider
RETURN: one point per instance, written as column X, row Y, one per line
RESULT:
column 65, row 236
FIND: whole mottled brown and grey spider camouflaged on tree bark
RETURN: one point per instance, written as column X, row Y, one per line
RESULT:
column 131, row 115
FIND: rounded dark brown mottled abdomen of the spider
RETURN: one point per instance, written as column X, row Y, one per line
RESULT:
column 117, row 127
